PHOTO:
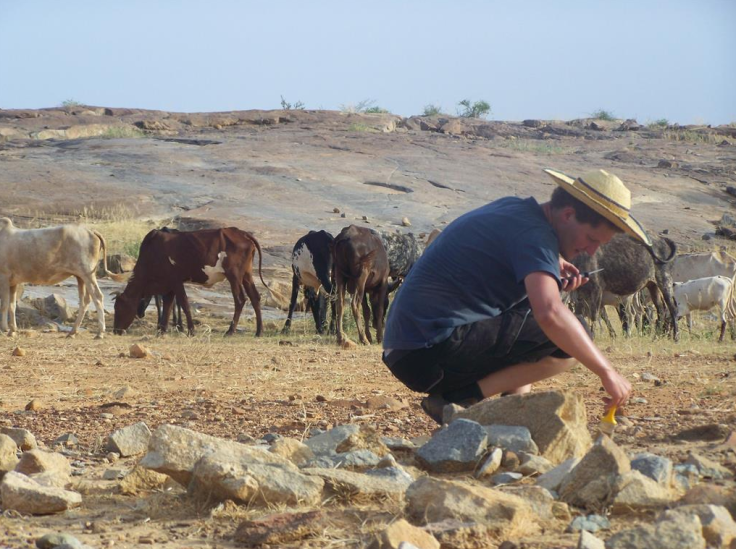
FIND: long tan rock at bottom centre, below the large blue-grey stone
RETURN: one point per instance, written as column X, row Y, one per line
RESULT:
column 434, row 500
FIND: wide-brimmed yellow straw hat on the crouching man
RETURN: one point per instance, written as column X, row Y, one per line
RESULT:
column 606, row 194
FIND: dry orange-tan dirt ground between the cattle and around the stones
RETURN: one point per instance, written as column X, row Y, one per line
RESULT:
column 242, row 385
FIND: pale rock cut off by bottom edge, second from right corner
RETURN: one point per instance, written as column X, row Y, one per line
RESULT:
column 684, row 533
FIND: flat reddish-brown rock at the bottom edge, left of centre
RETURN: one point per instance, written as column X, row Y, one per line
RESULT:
column 279, row 529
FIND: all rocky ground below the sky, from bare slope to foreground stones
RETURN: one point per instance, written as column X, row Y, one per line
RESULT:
column 268, row 401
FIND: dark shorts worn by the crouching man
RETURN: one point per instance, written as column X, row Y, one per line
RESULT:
column 474, row 351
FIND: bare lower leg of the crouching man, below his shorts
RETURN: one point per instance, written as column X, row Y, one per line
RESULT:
column 518, row 379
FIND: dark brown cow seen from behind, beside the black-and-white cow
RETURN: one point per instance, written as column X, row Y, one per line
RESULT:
column 361, row 267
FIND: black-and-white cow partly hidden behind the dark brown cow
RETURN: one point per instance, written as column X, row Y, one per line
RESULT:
column 311, row 263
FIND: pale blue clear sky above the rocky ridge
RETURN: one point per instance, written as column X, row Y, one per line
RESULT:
column 549, row 59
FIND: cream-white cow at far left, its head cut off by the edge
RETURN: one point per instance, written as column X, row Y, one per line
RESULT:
column 48, row 256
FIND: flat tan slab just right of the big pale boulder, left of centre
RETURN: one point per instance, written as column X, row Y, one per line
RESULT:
column 358, row 487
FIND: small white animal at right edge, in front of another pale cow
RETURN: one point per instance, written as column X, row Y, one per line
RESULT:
column 702, row 294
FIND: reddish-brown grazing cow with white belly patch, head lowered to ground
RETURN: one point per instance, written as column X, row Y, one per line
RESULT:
column 169, row 259
